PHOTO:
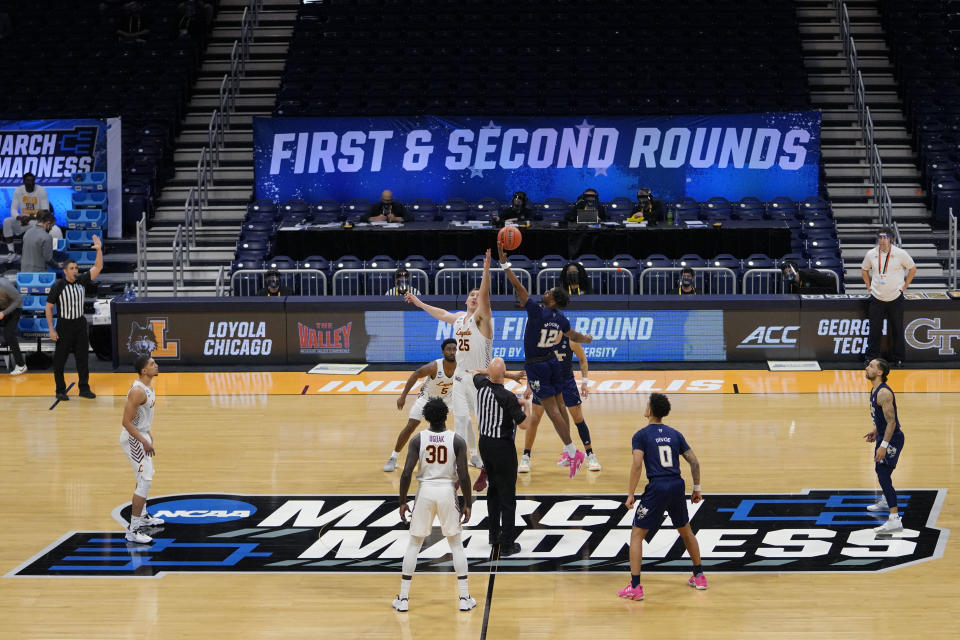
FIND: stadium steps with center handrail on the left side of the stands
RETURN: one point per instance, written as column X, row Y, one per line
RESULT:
column 233, row 179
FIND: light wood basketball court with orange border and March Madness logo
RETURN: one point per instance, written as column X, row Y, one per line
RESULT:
column 786, row 542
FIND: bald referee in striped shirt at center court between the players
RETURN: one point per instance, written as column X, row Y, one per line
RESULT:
column 499, row 415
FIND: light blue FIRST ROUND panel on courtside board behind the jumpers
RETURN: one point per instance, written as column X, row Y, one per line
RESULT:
column 619, row 336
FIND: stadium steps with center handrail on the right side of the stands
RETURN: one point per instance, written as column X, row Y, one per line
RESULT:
column 843, row 153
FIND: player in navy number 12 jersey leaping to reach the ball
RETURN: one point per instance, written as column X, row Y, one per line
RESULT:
column 546, row 325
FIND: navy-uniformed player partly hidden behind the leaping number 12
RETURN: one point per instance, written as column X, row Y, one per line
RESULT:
column 565, row 350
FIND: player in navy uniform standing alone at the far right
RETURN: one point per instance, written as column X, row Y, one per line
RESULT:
column 889, row 441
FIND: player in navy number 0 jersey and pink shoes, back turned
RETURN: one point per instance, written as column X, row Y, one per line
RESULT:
column 660, row 448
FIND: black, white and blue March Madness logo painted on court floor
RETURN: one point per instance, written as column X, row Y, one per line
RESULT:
column 817, row 530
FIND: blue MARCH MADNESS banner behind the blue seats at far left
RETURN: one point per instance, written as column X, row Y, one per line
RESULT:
column 52, row 150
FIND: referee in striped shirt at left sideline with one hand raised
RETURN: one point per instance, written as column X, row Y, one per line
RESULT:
column 70, row 335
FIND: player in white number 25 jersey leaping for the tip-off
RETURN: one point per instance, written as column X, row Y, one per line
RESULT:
column 473, row 331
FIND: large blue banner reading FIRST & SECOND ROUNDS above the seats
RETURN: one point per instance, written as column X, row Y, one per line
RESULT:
column 762, row 155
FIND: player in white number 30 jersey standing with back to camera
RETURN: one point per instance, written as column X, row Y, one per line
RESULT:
column 442, row 456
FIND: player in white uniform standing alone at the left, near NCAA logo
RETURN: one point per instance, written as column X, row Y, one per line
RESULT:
column 138, row 444
